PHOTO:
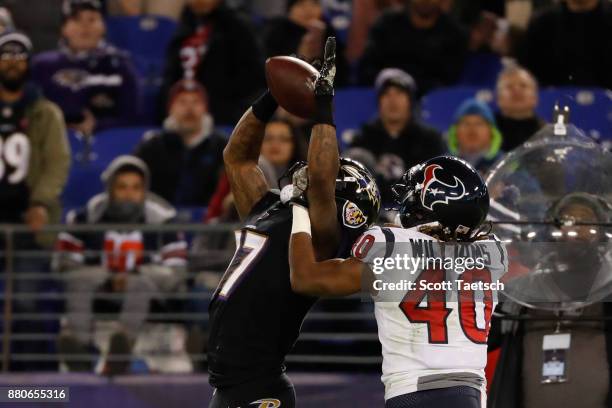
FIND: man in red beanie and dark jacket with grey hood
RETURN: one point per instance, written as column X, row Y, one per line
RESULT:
column 186, row 157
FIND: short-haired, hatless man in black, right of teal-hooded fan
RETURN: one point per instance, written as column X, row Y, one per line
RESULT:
column 517, row 98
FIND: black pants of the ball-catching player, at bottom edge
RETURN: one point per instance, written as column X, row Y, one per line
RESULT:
column 270, row 392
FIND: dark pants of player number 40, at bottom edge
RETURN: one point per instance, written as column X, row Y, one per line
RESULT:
column 451, row 397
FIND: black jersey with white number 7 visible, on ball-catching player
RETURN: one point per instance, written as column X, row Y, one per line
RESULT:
column 255, row 317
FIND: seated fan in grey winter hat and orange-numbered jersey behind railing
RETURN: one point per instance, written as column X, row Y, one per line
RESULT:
column 135, row 265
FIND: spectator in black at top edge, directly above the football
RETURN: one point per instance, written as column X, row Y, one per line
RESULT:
column 303, row 32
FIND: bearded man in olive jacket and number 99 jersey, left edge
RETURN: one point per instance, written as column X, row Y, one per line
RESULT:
column 33, row 129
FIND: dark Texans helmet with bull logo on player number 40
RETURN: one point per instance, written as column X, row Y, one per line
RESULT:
column 443, row 189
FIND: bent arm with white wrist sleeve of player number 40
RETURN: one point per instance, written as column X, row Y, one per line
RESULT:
column 334, row 277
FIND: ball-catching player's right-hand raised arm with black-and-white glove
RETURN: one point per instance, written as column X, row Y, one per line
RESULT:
column 324, row 162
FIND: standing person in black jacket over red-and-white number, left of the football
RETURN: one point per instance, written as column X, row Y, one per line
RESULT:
column 216, row 47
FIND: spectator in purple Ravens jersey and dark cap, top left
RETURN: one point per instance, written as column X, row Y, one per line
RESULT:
column 93, row 82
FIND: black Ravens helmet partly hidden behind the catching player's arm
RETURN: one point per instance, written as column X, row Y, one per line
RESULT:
column 357, row 194
